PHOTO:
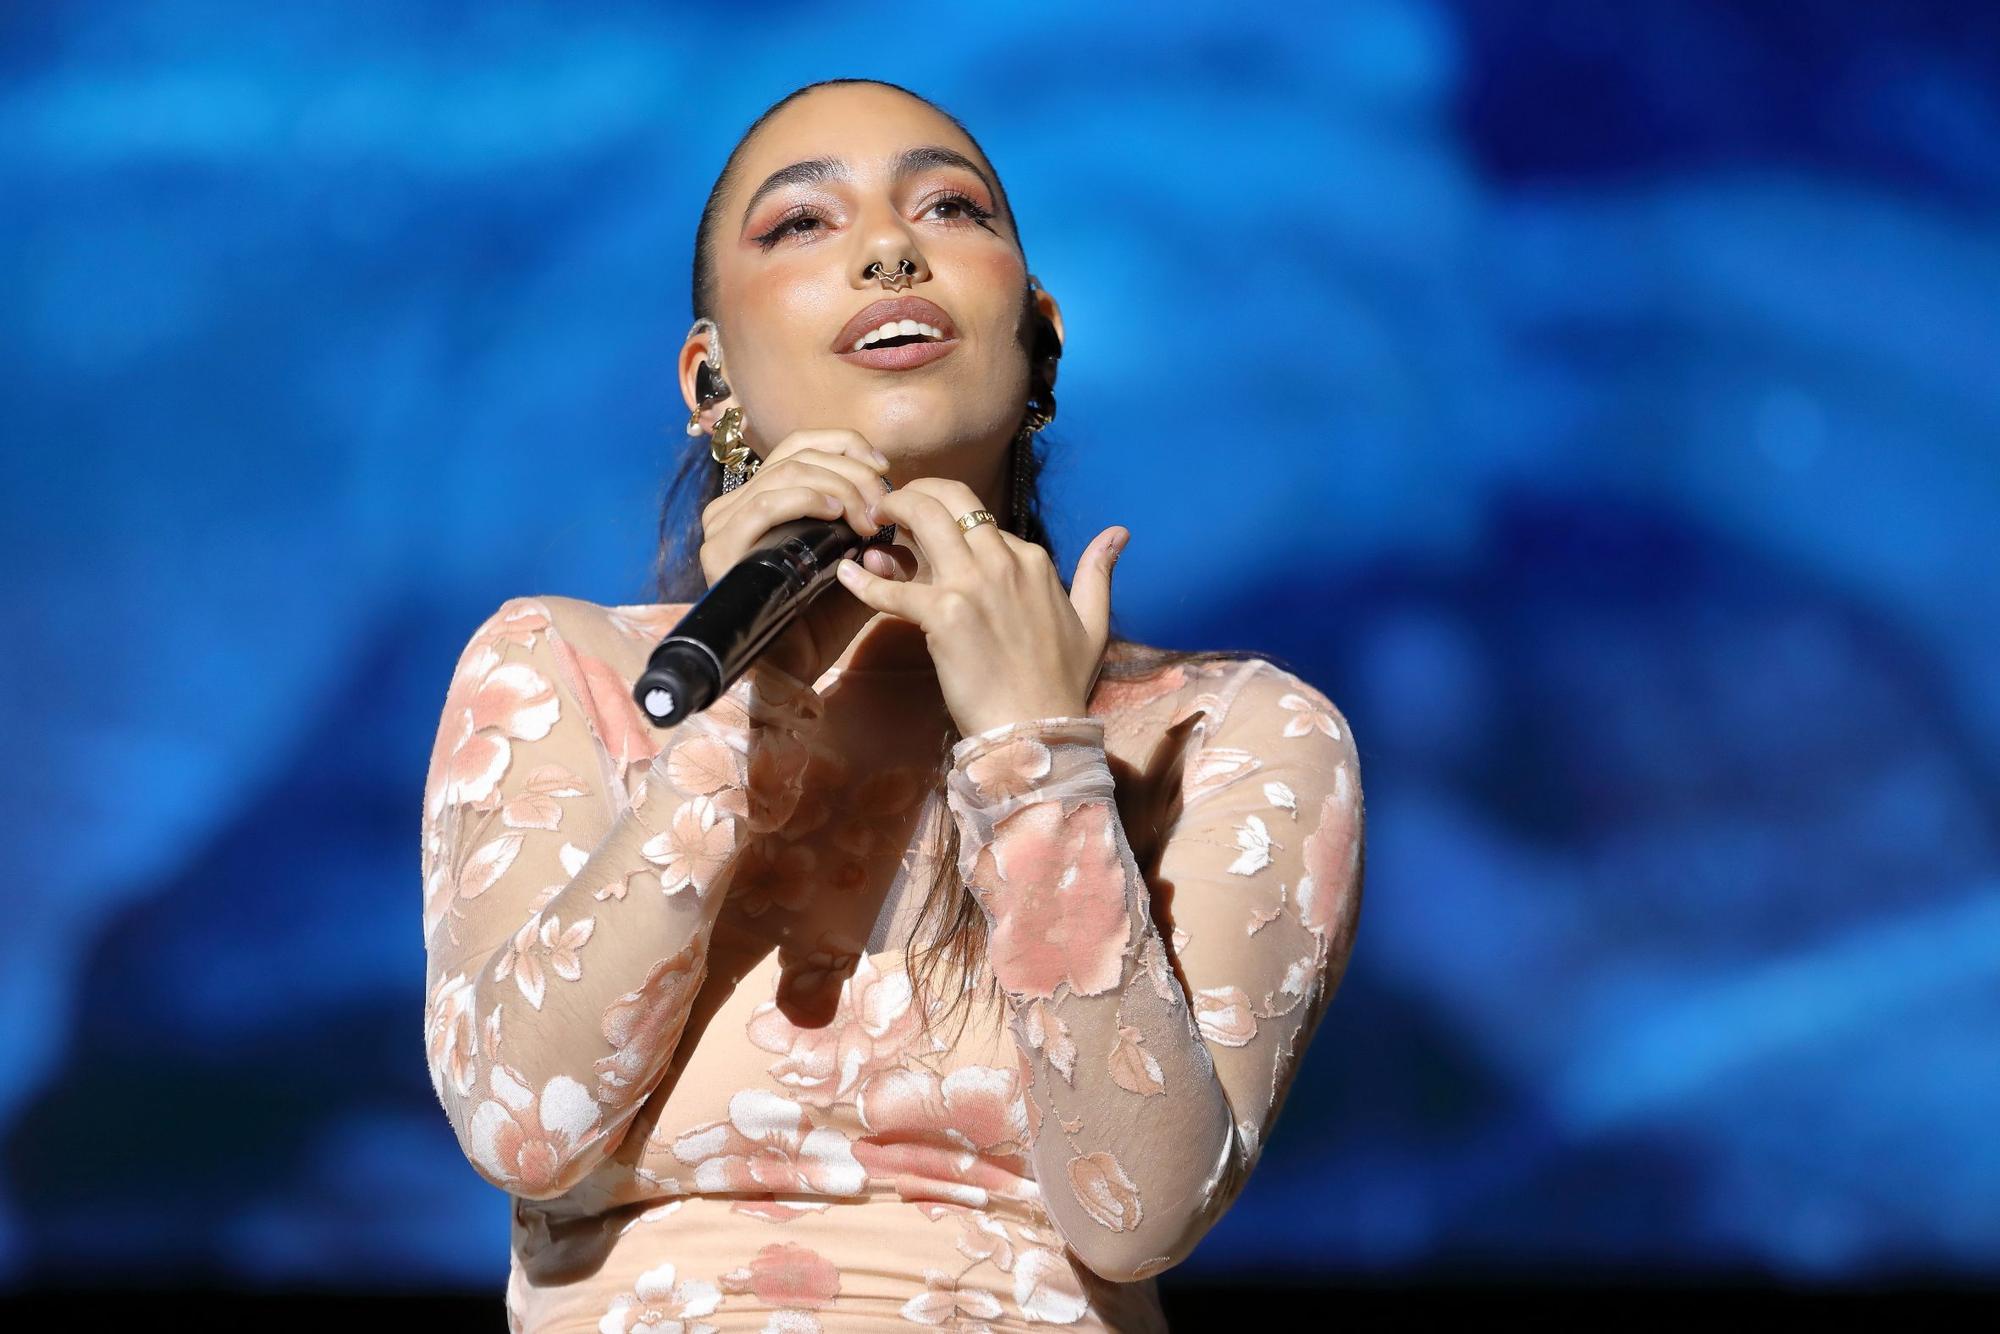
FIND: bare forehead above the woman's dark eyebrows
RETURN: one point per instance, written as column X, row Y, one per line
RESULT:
column 861, row 123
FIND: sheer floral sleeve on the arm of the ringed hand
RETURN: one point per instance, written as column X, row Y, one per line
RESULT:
column 1149, row 1093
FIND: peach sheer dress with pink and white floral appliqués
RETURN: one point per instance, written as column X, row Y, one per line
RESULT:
column 667, row 1007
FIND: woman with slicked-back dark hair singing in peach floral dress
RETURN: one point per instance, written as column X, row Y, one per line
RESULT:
column 667, row 1009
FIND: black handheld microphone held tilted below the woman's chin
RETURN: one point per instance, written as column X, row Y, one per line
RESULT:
column 747, row 609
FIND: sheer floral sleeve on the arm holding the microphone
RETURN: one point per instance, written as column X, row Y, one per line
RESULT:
column 575, row 863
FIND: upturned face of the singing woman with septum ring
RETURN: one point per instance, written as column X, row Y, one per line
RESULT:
column 791, row 273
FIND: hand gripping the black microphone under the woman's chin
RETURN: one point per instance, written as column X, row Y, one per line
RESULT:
column 811, row 473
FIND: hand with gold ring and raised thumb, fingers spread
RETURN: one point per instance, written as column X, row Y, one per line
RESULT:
column 1009, row 643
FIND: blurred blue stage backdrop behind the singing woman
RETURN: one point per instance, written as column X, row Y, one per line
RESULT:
column 1599, row 401
